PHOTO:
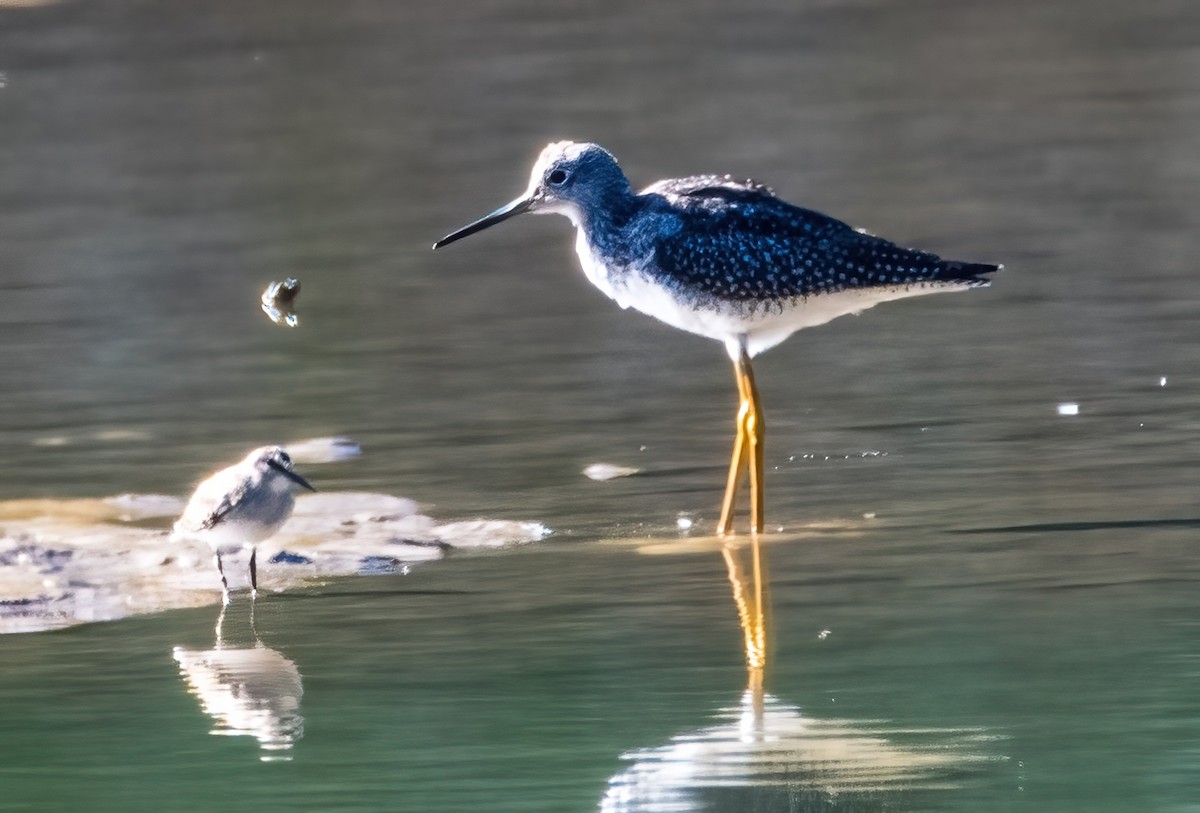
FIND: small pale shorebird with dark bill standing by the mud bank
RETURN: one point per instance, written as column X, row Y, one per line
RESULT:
column 241, row 507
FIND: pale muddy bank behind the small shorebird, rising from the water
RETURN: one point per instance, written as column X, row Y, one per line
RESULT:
column 71, row 562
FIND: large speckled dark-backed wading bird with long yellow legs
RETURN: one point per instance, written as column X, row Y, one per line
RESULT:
column 724, row 260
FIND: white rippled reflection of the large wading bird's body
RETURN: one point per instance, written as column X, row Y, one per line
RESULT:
column 764, row 754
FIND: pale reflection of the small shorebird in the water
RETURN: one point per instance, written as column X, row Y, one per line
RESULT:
column 247, row 688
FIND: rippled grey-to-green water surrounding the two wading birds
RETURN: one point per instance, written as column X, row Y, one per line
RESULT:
column 1009, row 595
